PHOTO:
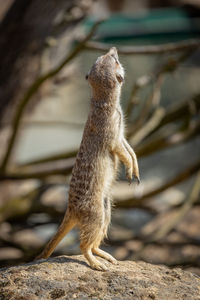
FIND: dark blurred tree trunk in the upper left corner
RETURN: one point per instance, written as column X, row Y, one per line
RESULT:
column 23, row 33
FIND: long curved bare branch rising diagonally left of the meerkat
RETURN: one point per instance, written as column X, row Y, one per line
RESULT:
column 34, row 88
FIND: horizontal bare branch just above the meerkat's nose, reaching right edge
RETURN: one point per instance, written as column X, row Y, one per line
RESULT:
column 150, row 49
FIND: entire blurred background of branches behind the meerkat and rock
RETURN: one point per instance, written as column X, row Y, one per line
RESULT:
column 46, row 48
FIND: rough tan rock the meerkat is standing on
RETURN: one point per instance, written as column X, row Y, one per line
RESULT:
column 71, row 278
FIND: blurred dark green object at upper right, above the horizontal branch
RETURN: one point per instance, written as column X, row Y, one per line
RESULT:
column 156, row 26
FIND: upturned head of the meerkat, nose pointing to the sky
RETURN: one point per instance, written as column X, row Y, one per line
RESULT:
column 107, row 72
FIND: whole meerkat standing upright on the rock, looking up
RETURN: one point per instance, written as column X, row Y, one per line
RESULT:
column 102, row 147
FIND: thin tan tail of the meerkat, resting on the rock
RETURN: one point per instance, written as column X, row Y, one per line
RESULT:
column 63, row 229
